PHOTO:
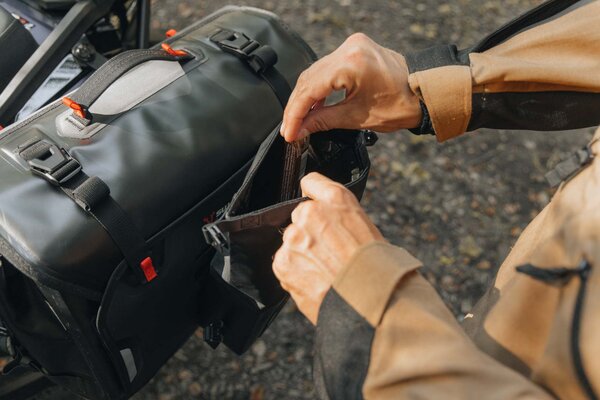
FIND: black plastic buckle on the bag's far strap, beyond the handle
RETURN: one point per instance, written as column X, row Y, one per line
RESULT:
column 259, row 57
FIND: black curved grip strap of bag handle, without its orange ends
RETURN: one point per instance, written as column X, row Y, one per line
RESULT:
column 116, row 67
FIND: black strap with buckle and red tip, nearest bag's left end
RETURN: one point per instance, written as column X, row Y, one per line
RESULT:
column 93, row 196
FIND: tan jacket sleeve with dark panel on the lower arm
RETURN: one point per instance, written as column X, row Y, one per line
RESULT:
column 383, row 333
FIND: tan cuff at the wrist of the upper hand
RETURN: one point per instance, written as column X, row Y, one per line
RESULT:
column 447, row 93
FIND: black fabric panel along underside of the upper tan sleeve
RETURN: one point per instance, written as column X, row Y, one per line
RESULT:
column 541, row 111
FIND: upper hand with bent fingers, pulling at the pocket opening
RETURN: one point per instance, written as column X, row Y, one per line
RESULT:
column 377, row 93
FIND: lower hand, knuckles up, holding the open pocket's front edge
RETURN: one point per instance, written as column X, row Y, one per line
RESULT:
column 324, row 234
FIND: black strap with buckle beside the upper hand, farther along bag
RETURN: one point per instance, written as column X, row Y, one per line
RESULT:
column 260, row 58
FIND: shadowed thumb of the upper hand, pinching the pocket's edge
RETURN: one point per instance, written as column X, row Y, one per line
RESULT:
column 325, row 119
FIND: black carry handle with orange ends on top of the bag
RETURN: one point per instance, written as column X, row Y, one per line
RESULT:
column 112, row 70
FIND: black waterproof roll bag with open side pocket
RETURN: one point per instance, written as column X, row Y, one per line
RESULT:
column 105, row 271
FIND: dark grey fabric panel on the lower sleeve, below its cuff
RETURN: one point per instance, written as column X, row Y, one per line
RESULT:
column 343, row 349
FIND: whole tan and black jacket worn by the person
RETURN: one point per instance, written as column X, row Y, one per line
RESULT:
column 384, row 333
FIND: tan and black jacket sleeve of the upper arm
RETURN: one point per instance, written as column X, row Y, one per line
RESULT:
column 539, row 72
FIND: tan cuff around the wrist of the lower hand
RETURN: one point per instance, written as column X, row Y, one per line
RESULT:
column 370, row 278
